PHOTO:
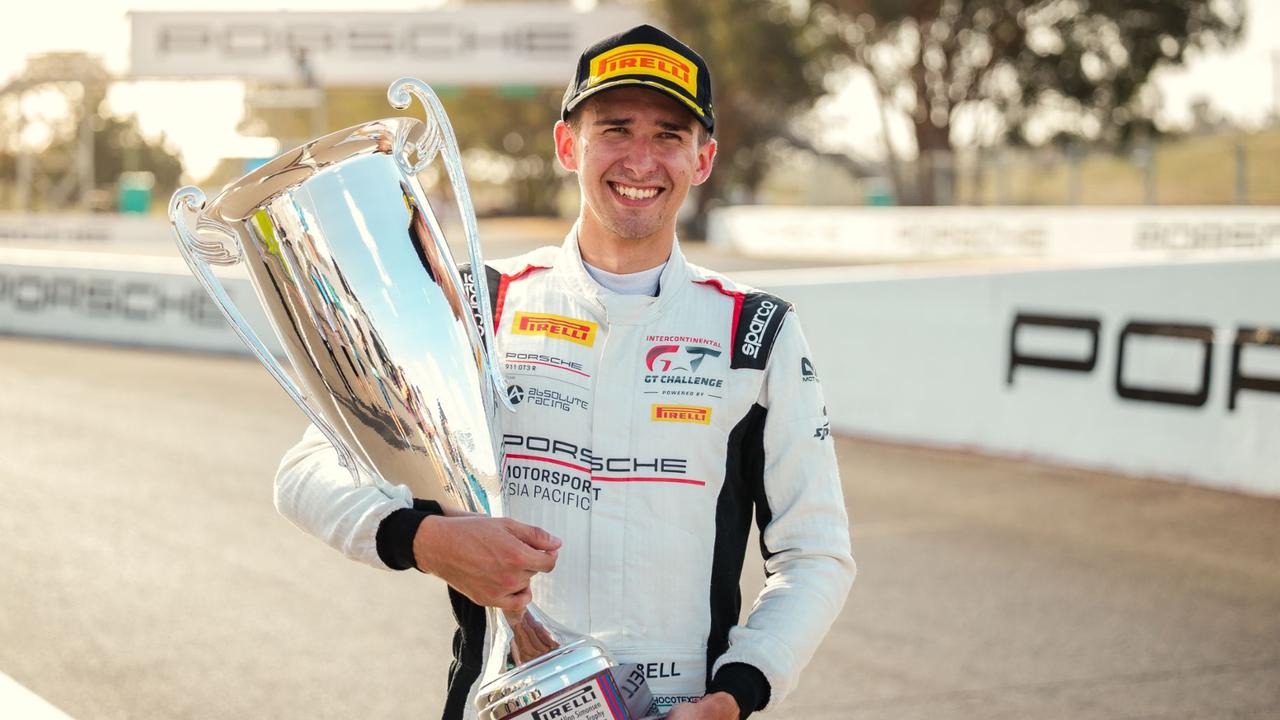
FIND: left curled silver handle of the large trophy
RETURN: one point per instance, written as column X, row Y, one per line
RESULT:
column 200, row 254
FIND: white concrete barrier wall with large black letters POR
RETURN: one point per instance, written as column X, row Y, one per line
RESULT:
column 1169, row 371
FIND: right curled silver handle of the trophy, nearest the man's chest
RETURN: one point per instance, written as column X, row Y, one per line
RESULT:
column 440, row 138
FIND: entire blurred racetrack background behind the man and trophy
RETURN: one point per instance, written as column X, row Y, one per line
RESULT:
column 1036, row 247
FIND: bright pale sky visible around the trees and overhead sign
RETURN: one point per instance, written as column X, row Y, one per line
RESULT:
column 200, row 117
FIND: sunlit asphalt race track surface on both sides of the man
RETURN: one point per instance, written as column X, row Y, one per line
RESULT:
column 144, row 573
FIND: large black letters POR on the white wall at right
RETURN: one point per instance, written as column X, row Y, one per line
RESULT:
column 1199, row 338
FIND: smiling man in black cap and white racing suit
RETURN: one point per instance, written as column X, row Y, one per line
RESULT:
column 660, row 407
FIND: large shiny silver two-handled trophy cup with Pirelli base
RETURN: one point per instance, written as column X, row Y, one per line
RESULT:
column 354, row 271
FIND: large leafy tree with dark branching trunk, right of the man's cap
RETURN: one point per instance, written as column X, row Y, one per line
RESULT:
column 1081, row 63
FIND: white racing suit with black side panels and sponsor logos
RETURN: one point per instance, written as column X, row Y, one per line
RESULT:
column 648, row 434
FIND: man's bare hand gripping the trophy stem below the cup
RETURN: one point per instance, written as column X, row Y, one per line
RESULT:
column 490, row 560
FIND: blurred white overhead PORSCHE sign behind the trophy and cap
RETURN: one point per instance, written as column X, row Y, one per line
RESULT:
column 467, row 45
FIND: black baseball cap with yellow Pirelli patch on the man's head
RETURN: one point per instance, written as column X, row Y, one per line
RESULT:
column 647, row 57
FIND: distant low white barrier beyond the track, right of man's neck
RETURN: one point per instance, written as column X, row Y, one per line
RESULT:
column 913, row 234
